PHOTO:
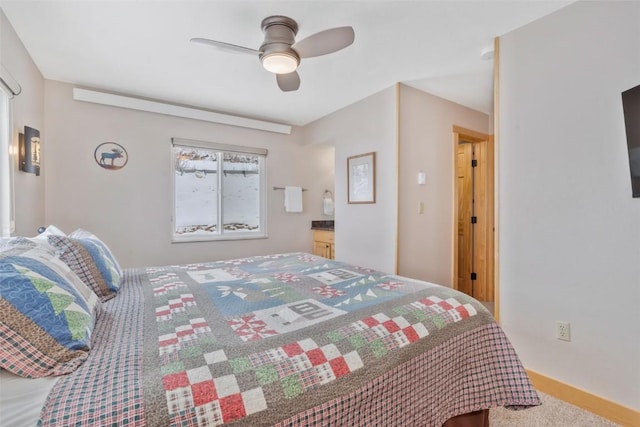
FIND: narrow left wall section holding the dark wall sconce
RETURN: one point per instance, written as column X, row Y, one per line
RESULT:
column 28, row 110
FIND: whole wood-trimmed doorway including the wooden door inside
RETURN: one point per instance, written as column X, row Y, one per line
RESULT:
column 473, row 214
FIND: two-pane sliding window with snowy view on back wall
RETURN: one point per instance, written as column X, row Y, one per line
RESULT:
column 218, row 191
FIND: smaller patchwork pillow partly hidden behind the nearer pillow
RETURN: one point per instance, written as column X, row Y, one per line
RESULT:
column 92, row 261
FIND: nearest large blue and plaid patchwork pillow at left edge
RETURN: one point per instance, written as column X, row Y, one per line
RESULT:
column 47, row 314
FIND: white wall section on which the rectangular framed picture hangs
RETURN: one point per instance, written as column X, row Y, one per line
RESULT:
column 365, row 233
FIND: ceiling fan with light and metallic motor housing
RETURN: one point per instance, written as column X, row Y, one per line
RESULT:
column 281, row 54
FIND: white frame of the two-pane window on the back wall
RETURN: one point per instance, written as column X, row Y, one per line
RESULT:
column 220, row 233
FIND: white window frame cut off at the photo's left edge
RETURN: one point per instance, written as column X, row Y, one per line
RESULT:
column 7, row 213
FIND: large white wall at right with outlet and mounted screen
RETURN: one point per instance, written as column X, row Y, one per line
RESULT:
column 569, row 228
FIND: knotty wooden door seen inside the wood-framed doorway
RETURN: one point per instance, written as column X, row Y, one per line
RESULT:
column 464, row 183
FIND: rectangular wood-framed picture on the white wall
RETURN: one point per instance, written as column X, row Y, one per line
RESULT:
column 361, row 178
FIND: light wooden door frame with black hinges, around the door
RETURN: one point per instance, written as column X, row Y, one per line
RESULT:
column 484, row 208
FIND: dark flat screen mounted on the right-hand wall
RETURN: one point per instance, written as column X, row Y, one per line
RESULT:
column 631, row 106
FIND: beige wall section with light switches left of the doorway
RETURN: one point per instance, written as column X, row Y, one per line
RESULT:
column 426, row 144
